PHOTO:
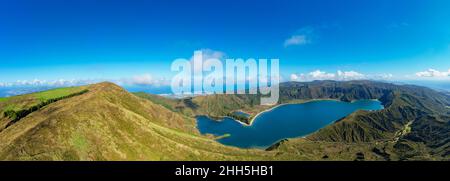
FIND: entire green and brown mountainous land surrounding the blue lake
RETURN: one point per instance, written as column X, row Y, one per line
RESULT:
column 108, row 123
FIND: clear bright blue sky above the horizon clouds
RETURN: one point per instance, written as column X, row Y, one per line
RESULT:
column 120, row 40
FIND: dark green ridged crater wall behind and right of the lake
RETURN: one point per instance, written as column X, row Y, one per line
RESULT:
column 422, row 111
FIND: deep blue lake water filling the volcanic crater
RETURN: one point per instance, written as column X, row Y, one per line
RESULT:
column 285, row 121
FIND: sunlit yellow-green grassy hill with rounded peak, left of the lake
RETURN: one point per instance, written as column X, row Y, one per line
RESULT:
column 108, row 123
